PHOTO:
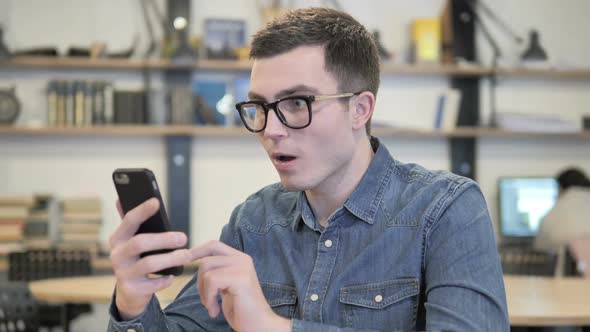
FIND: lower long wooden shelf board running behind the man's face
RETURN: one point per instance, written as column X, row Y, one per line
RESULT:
column 215, row 131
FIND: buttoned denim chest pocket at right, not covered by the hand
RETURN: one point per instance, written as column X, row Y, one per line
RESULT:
column 387, row 305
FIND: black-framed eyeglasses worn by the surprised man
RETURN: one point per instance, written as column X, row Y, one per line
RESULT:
column 293, row 111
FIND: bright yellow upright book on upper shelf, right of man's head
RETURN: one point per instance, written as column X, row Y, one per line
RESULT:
column 426, row 40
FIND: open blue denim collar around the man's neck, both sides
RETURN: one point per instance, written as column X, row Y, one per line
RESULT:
column 364, row 200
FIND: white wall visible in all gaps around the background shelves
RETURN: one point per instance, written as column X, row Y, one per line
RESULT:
column 65, row 165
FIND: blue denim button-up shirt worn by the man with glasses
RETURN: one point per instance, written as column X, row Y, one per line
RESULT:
column 410, row 249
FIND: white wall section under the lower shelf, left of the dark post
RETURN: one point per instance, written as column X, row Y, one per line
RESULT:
column 69, row 166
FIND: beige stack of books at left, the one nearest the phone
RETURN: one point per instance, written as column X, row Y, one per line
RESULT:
column 81, row 223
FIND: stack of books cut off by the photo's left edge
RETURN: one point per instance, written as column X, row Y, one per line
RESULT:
column 14, row 211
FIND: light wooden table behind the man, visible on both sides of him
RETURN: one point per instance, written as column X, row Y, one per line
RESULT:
column 534, row 301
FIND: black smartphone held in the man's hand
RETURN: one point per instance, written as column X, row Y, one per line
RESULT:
column 135, row 186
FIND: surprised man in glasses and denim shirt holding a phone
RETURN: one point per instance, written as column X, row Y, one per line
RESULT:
column 350, row 239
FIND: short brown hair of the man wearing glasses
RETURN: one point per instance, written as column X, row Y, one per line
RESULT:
column 350, row 51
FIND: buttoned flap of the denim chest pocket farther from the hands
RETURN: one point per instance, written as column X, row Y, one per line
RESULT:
column 379, row 295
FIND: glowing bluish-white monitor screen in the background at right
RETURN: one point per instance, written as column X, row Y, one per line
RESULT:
column 523, row 202
